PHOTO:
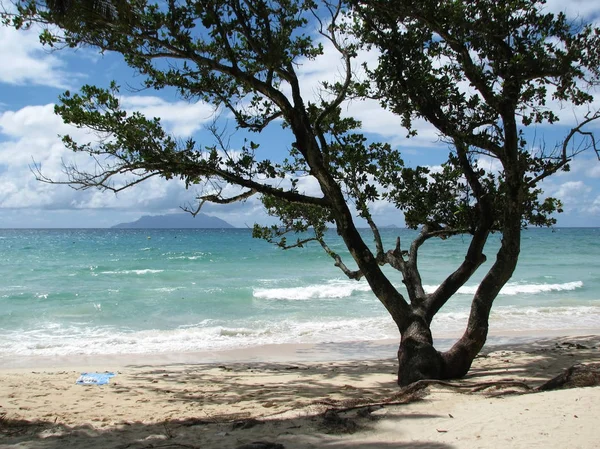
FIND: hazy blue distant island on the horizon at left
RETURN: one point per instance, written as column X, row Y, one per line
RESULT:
column 175, row 221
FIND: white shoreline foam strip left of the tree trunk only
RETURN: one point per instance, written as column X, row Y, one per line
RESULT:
column 207, row 336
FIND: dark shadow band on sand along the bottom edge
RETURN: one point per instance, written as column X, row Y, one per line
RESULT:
column 291, row 433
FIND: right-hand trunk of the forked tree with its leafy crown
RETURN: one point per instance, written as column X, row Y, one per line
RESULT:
column 515, row 58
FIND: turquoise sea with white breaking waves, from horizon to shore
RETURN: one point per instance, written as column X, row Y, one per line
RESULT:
column 66, row 292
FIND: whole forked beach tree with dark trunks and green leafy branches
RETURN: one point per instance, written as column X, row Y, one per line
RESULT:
column 242, row 56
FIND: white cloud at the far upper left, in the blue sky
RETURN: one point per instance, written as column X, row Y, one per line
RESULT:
column 25, row 61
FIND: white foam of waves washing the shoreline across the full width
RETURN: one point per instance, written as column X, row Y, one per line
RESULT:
column 214, row 335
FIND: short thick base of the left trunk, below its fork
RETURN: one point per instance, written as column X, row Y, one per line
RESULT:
column 417, row 358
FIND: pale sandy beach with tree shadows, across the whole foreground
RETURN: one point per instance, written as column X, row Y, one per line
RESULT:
column 173, row 403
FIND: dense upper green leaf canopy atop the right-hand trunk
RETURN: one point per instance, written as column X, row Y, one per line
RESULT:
column 510, row 53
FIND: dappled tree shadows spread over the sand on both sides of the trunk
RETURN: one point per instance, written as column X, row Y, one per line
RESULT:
column 294, row 403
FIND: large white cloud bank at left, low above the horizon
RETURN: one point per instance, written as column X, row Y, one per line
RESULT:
column 32, row 134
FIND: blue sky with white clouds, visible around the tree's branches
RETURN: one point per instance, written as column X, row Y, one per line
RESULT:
column 32, row 78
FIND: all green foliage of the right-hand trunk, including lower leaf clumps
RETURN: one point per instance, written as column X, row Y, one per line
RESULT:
column 473, row 70
